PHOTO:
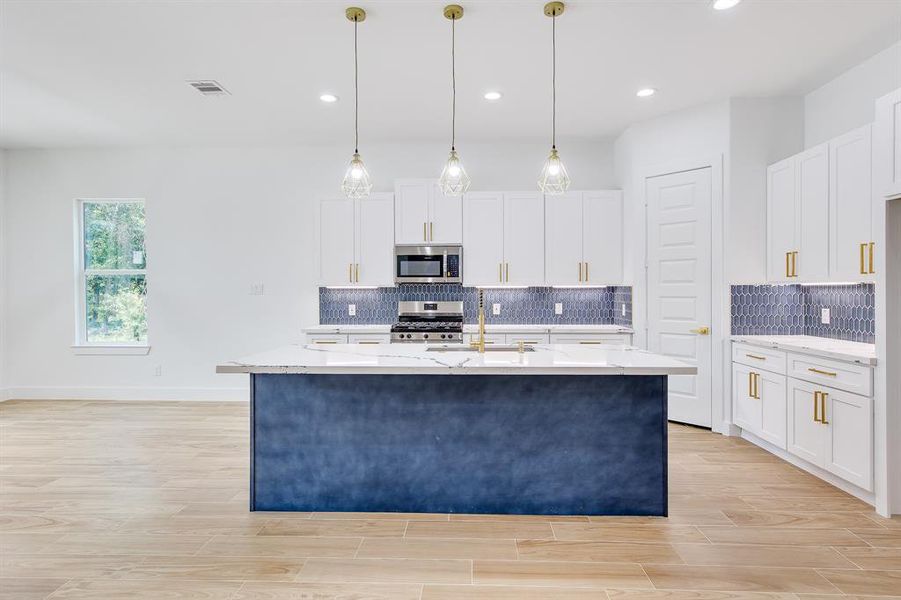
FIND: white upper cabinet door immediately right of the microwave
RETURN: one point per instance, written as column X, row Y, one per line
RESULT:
column 483, row 238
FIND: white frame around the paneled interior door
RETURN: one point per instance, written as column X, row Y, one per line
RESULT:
column 720, row 302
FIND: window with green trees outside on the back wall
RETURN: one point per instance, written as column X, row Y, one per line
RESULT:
column 112, row 273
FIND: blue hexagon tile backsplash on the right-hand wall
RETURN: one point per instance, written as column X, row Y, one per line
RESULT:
column 795, row 310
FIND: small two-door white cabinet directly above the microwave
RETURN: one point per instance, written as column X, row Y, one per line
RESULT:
column 422, row 214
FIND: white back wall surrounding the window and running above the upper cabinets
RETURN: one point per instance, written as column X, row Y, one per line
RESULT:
column 218, row 220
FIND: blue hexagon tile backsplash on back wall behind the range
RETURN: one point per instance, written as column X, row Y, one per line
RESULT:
column 535, row 305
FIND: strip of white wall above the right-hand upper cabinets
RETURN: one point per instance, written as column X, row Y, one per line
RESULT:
column 847, row 102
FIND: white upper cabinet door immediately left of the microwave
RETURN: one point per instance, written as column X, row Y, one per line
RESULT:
column 375, row 240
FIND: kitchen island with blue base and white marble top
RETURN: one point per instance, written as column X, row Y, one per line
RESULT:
column 554, row 430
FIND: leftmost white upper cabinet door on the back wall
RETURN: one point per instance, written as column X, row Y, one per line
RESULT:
column 336, row 242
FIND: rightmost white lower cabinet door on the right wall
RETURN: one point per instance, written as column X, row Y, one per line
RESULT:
column 849, row 447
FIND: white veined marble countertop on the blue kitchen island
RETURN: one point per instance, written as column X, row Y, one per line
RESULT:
column 415, row 359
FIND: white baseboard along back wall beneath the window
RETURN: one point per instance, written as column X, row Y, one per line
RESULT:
column 231, row 394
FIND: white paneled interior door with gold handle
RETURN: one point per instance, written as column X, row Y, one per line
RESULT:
column 679, row 286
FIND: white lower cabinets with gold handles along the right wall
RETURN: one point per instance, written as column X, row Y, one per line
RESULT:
column 827, row 427
